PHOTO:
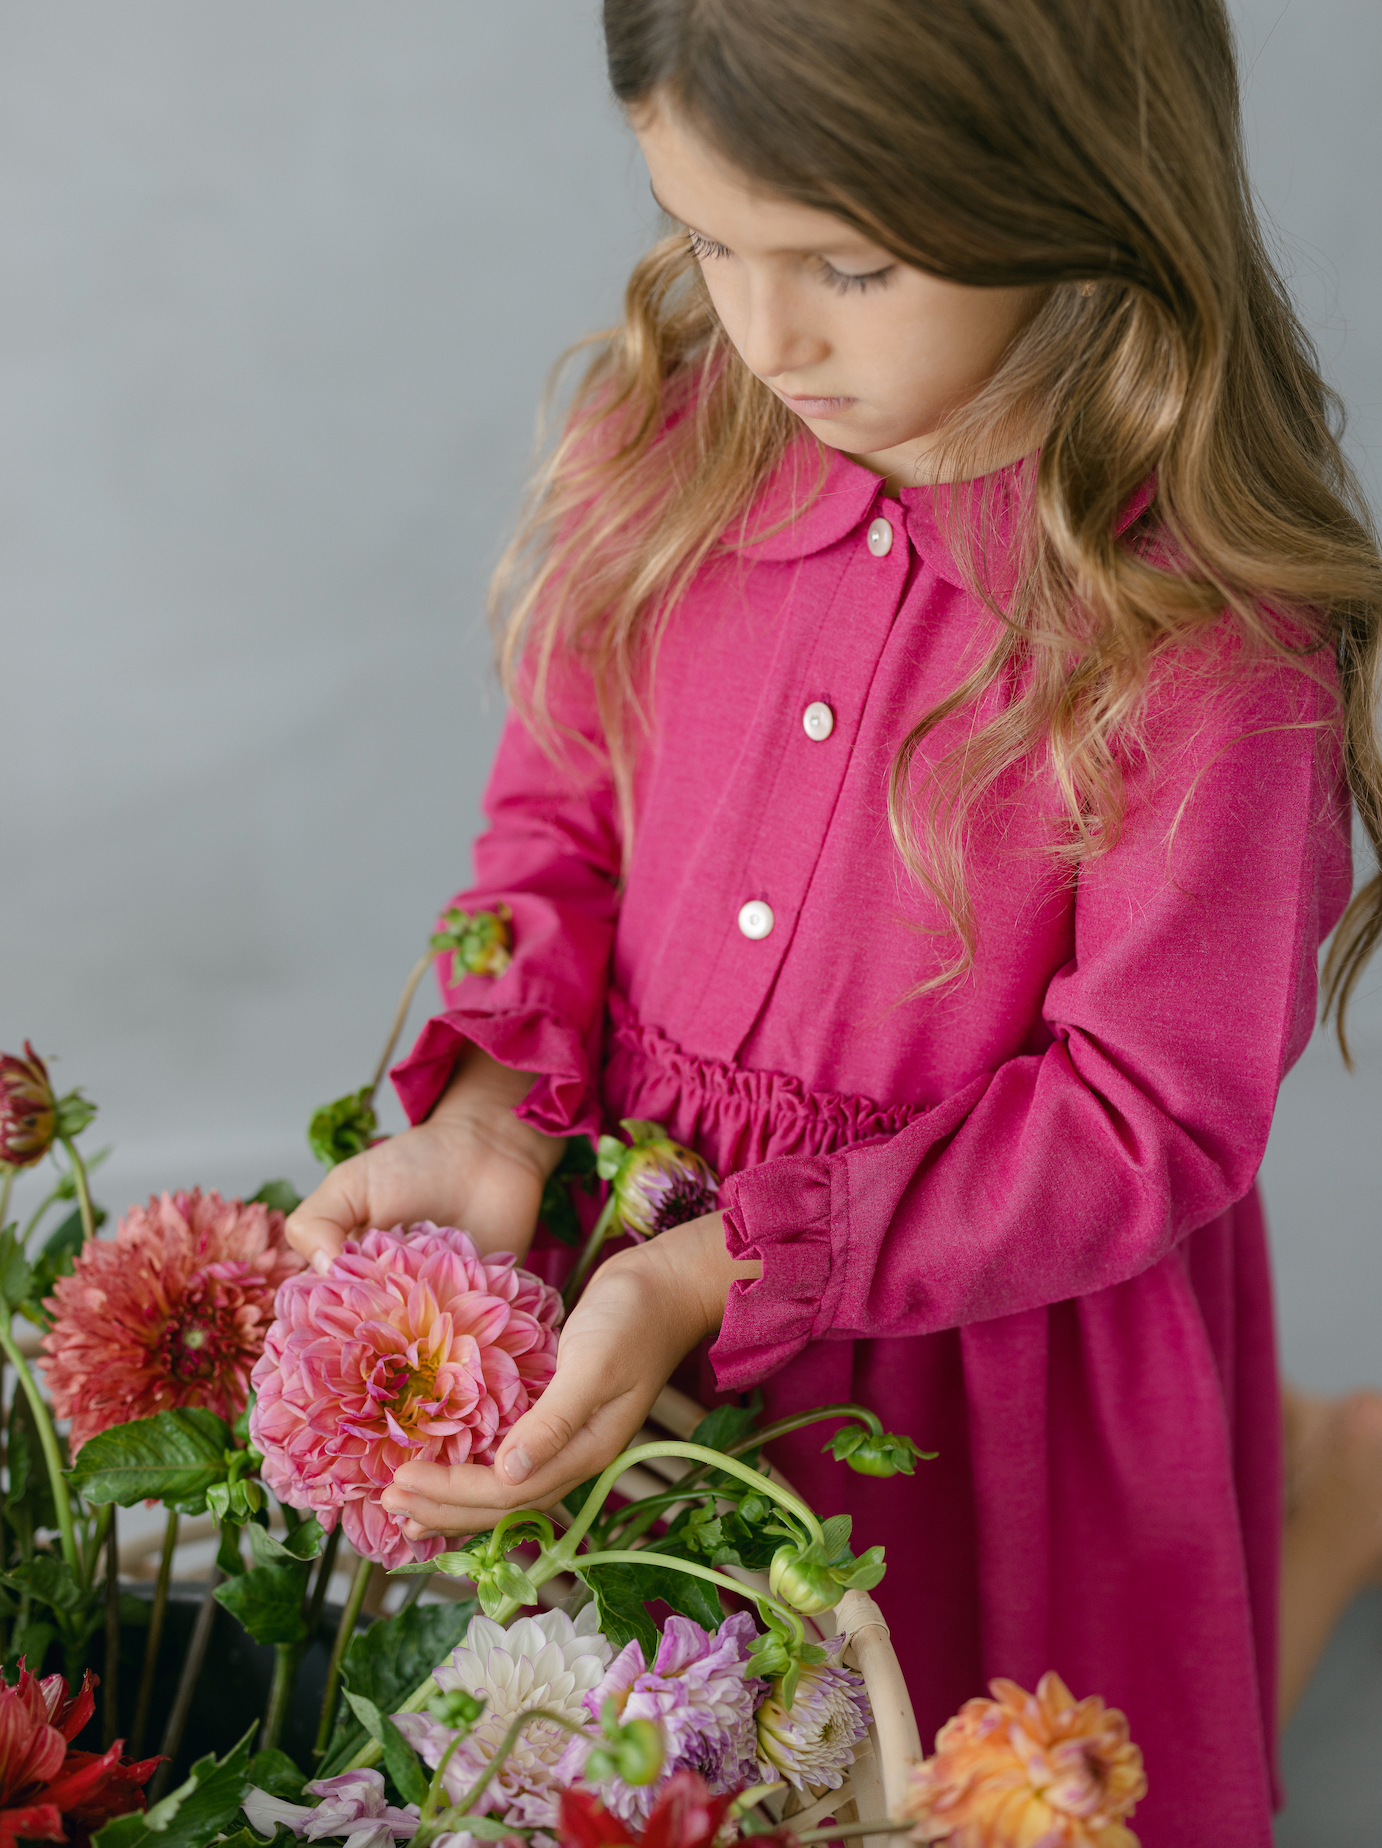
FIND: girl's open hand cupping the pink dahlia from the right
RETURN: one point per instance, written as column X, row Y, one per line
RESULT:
column 642, row 1313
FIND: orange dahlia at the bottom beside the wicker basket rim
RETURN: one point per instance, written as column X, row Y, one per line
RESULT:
column 1030, row 1771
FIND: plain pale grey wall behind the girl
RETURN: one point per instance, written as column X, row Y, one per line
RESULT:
column 280, row 282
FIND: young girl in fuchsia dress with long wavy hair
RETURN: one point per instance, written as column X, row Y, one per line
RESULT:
column 941, row 650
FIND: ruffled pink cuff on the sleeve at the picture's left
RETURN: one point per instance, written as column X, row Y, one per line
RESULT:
column 527, row 1039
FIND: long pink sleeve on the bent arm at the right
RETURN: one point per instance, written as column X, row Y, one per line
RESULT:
column 1073, row 1169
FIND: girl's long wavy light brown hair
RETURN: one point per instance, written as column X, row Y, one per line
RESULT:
column 1084, row 149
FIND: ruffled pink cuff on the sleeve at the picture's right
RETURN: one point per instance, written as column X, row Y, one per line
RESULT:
column 781, row 1215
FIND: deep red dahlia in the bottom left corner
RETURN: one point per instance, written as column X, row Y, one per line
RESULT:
column 49, row 1792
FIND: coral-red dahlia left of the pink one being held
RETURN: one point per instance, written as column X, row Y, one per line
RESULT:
column 173, row 1311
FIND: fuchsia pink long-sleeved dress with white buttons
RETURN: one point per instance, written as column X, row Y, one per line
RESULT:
column 1015, row 1217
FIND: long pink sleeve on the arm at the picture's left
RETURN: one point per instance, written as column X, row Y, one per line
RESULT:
column 552, row 855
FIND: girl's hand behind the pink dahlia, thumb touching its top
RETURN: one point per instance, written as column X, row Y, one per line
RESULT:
column 472, row 1165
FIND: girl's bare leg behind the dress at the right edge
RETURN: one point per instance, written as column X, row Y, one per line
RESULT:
column 1333, row 1544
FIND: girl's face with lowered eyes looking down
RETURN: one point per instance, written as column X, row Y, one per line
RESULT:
column 869, row 352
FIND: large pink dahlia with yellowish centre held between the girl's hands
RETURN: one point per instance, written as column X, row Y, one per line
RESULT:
column 413, row 1348
